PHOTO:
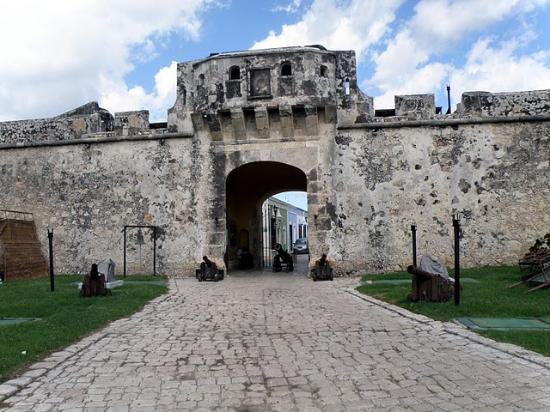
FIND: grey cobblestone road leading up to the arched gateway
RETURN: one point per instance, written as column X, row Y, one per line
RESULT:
column 281, row 343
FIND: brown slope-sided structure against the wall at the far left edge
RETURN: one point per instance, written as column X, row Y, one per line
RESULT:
column 20, row 250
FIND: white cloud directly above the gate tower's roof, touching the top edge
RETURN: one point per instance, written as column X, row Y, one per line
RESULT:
column 351, row 25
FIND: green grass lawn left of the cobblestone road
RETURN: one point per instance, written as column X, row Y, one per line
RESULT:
column 65, row 317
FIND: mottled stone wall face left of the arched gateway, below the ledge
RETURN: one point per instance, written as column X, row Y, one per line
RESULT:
column 87, row 193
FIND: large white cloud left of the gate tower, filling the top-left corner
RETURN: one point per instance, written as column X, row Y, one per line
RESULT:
column 58, row 54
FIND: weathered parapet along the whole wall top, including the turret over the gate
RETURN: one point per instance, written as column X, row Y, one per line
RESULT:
column 274, row 93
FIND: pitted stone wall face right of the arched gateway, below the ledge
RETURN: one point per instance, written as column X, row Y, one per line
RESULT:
column 496, row 175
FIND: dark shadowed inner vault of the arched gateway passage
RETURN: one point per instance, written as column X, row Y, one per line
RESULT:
column 247, row 189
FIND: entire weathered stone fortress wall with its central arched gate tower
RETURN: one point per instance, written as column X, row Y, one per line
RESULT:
column 247, row 125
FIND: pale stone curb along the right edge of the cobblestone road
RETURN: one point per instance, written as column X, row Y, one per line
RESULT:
column 456, row 329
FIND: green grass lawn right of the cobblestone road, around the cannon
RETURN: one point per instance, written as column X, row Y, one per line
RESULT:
column 488, row 298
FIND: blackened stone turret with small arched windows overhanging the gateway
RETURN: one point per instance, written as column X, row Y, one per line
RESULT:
column 236, row 87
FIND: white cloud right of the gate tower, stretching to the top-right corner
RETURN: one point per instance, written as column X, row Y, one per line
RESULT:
column 407, row 66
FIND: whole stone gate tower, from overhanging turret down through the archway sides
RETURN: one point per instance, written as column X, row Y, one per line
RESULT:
column 237, row 100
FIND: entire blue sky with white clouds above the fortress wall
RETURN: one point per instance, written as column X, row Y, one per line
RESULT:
column 123, row 53
